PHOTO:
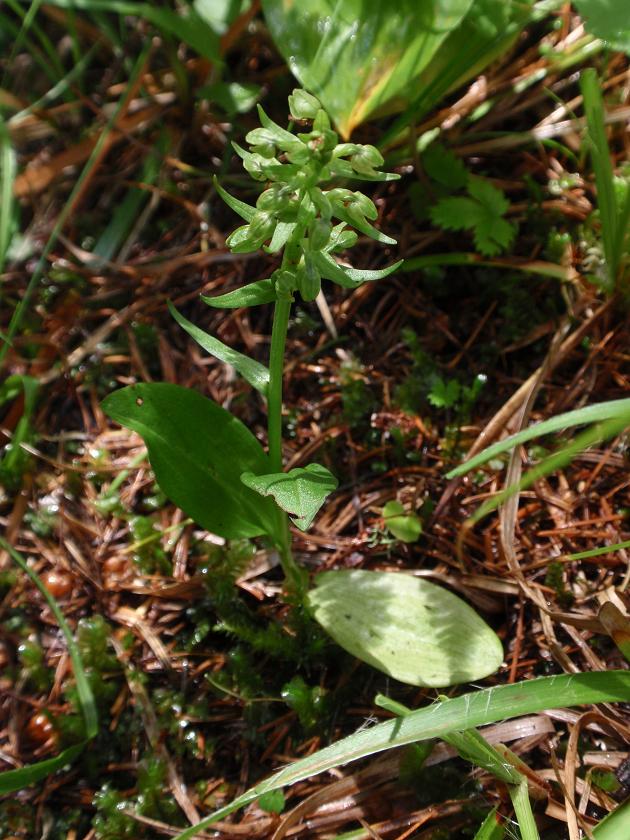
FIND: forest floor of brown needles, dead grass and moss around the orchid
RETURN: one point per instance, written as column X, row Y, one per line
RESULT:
column 389, row 385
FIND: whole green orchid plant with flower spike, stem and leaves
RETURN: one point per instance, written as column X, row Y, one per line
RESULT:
column 209, row 464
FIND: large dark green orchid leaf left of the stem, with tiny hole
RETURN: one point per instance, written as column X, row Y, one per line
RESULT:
column 198, row 452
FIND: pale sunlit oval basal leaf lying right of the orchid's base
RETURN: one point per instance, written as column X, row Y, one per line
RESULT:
column 408, row 628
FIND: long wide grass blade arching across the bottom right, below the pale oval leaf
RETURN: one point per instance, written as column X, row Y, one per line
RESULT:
column 470, row 710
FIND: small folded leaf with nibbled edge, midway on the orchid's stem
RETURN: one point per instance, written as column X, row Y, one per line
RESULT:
column 301, row 492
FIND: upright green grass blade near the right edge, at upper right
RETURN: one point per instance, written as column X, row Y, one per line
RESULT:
column 600, row 156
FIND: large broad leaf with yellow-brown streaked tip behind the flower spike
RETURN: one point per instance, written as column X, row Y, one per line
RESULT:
column 359, row 57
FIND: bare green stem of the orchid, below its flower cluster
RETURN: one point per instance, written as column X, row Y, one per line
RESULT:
column 293, row 573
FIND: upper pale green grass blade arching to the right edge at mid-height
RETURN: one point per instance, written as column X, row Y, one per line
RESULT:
column 581, row 416
